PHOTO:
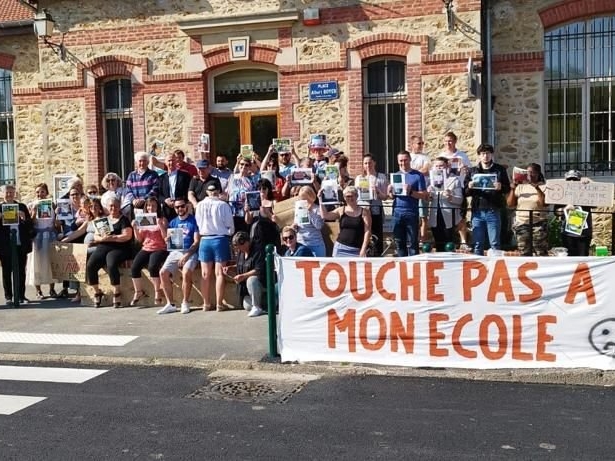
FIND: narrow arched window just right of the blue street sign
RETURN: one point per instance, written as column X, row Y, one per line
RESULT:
column 384, row 105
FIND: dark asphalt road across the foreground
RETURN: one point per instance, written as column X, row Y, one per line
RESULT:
column 154, row 413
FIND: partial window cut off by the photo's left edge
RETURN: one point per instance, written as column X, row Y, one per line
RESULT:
column 7, row 144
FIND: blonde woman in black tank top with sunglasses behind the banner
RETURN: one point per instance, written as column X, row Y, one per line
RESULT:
column 355, row 225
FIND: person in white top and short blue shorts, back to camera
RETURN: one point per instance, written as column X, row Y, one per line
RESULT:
column 214, row 218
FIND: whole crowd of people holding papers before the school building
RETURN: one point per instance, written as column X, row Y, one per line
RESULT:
column 170, row 215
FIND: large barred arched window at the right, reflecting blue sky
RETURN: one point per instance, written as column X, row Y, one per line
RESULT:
column 579, row 79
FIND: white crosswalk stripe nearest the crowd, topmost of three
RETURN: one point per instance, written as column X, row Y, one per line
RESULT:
column 68, row 340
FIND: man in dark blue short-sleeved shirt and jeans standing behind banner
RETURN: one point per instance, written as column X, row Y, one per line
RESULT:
column 406, row 206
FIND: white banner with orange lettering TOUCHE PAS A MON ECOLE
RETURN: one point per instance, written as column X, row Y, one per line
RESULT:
column 449, row 310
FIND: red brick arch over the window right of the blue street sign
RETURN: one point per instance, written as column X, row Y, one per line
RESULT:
column 387, row 43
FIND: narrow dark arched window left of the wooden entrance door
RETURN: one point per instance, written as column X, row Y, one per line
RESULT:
column 116, row 108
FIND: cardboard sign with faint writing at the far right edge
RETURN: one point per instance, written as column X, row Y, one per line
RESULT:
column 560, row 192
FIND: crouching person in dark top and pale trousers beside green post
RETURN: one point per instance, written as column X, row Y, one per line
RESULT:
column 250, row 275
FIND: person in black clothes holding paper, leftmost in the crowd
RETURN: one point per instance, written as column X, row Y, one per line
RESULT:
column 20, row 221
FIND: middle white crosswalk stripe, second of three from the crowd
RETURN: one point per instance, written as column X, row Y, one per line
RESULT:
column 47, row 374
